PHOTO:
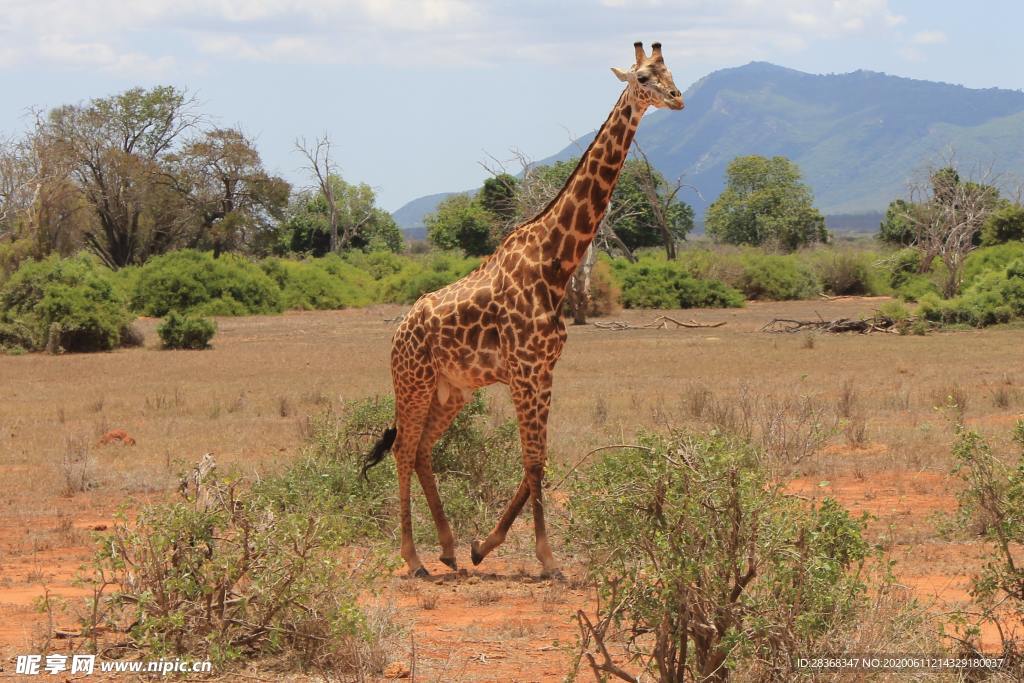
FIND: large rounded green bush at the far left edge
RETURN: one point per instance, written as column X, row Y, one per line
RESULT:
column 70, row 305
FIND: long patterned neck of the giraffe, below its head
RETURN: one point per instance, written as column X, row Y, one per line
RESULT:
column 574, row 217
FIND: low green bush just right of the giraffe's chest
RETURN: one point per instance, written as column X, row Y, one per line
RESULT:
column 654, row 283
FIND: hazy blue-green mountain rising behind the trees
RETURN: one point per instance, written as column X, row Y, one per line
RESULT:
column 858, row 138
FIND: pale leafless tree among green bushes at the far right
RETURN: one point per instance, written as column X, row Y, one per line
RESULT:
column 947, row 215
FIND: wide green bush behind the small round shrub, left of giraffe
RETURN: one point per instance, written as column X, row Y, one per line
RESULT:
column 189, row 281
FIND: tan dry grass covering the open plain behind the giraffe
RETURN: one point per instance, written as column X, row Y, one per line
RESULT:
column 857, row 412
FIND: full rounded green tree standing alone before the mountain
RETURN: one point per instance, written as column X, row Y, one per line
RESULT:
column 765, row 203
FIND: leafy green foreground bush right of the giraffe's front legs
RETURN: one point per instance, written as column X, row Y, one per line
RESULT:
column 689, row 540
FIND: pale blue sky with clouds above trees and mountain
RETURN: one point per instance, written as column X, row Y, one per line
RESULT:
column 416, row 94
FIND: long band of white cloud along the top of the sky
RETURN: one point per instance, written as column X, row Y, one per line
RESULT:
column 151, row 35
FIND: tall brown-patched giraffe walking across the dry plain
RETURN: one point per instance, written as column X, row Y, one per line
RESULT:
column 502, row 324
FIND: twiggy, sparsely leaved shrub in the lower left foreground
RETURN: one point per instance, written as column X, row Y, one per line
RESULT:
column 231, row 574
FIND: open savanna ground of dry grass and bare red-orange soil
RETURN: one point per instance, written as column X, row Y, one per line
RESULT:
column 247, row 402
